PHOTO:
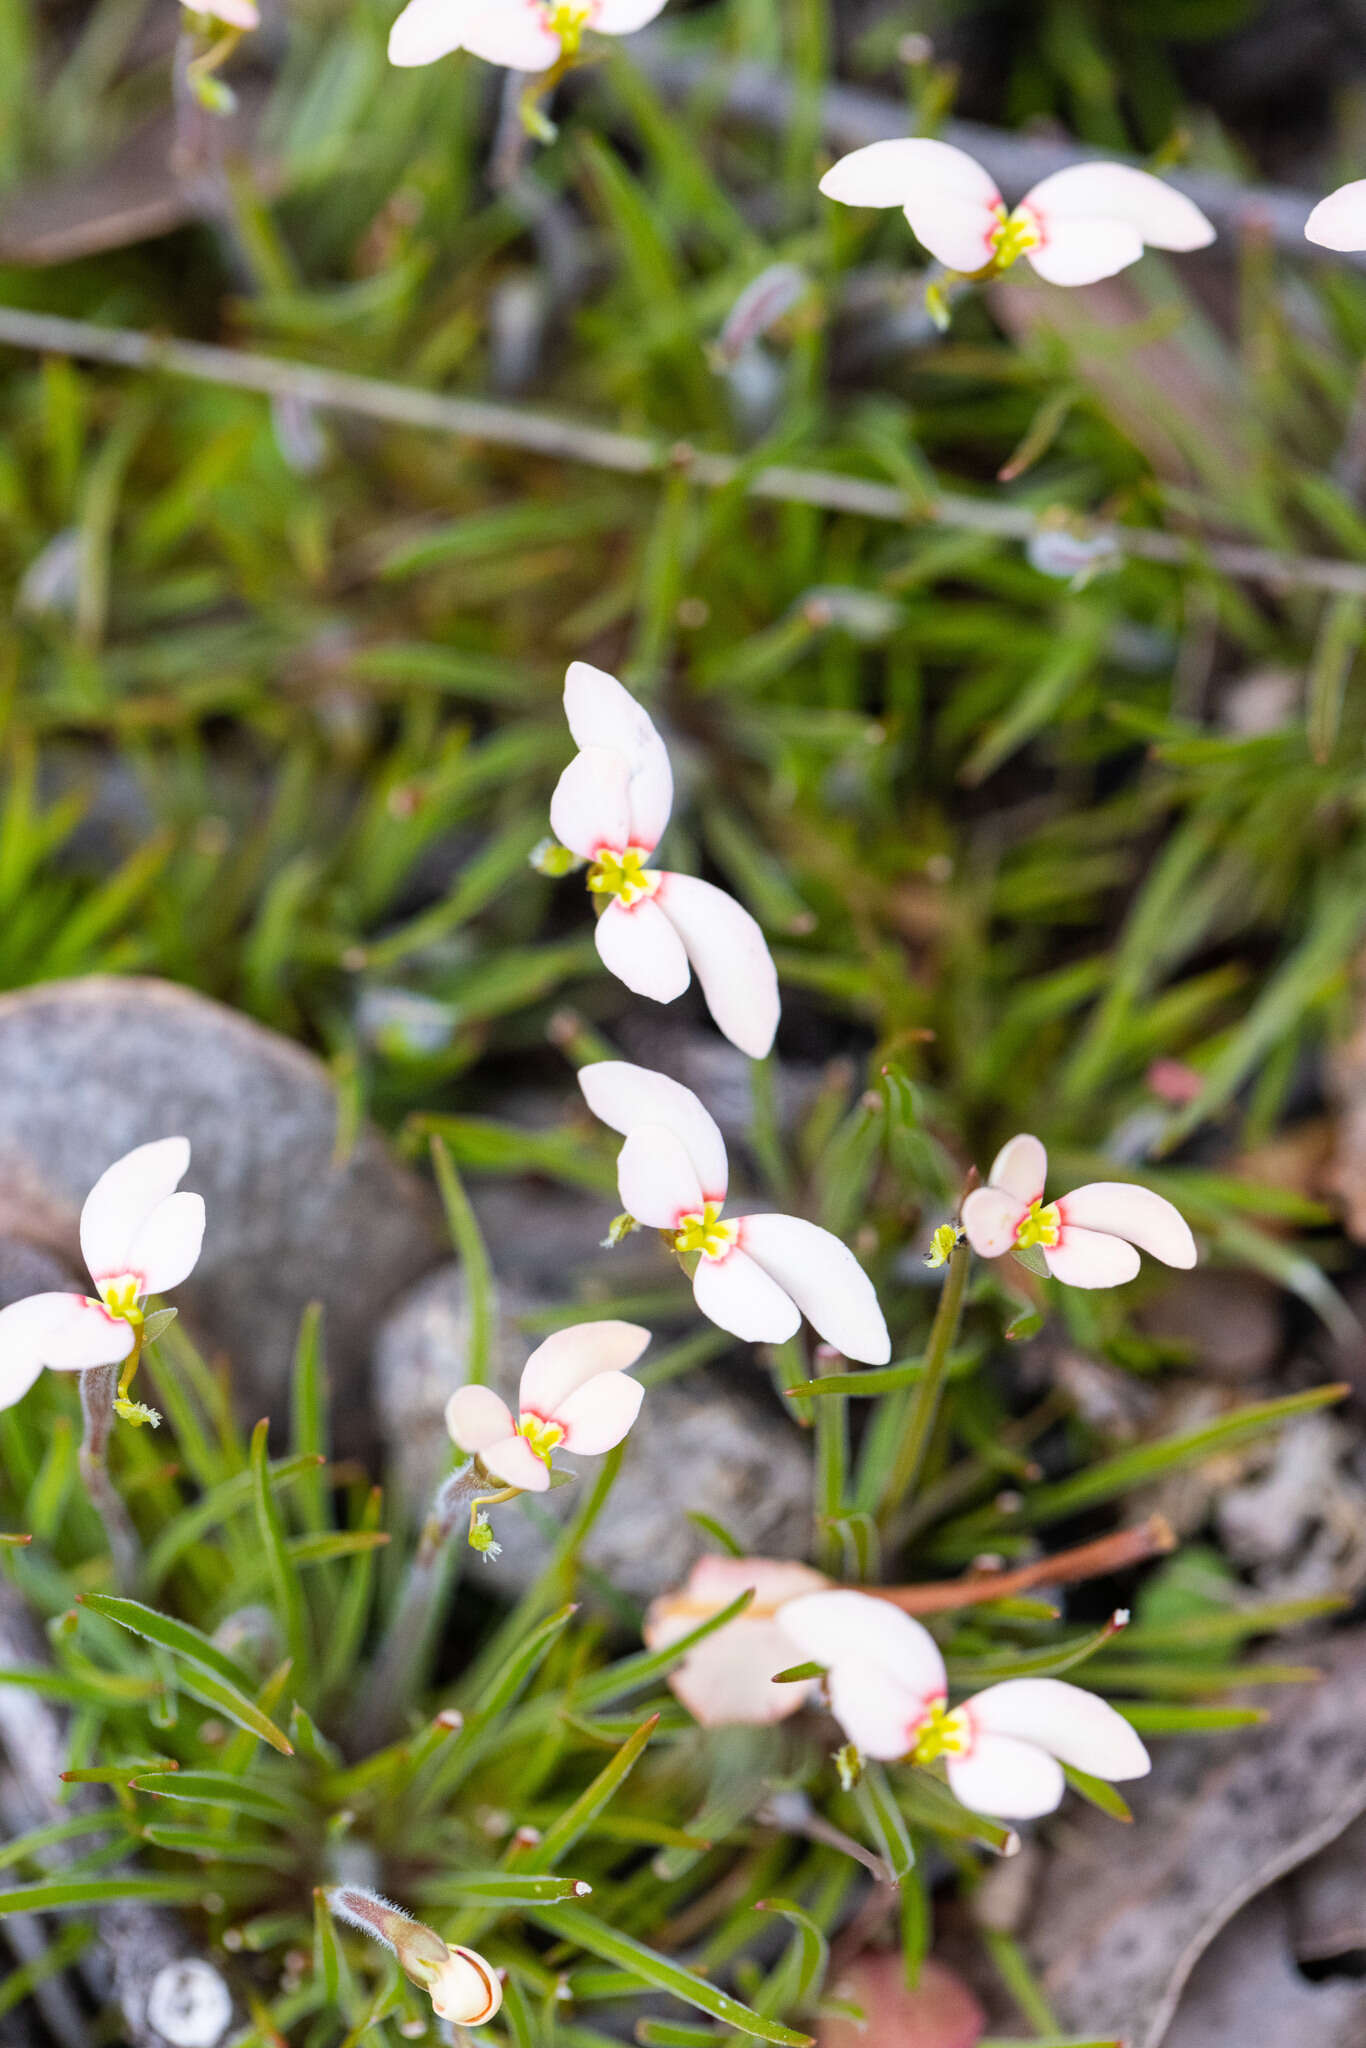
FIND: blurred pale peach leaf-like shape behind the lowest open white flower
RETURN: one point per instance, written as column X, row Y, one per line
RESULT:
column 728, row 1678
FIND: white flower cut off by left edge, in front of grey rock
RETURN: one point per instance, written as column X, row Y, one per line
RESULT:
column 138, row 1238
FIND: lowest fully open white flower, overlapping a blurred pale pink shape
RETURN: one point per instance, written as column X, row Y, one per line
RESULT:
column 1002, row 1750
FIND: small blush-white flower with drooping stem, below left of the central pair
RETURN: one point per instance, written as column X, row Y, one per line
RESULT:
column 577, row 1394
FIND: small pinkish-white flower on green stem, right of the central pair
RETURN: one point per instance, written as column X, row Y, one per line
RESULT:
column 1086, row 1238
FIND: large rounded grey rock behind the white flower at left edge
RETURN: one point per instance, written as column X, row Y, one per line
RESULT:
column 93, row 1068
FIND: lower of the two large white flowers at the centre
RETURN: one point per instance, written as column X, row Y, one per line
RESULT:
column 757, row 1277
